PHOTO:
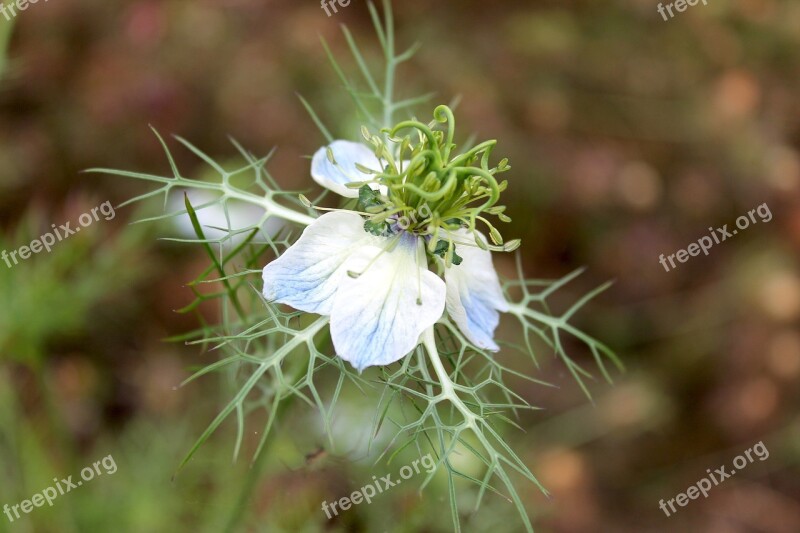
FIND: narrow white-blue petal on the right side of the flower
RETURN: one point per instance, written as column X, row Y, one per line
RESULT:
column 474, row 296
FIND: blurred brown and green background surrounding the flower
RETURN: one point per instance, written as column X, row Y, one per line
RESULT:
column 628, row 135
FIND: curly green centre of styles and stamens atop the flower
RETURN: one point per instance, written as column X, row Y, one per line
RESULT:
column 432, row 188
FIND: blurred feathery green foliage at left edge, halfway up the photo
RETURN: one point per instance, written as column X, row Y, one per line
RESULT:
column 51, row 294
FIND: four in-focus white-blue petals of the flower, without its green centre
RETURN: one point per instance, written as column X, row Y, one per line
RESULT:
column 379, row 291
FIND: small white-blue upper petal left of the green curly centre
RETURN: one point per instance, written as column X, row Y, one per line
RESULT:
column 346, row 154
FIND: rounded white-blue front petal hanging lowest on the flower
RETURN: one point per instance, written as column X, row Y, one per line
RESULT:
column 377, row 317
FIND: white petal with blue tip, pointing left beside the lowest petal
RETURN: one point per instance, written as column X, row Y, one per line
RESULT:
column 307, row 275
